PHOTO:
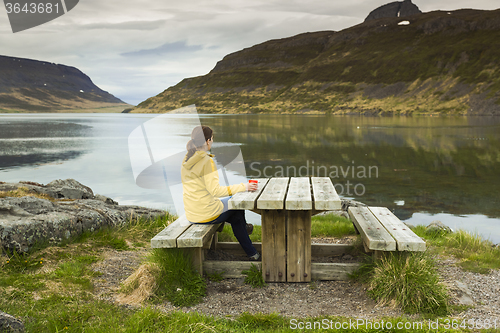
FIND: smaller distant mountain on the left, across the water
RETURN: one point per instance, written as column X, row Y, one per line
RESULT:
column 37, row 86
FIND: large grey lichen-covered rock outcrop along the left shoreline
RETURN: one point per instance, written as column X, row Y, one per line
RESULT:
column 31, row 220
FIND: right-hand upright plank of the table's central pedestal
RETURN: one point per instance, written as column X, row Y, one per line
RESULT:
column 298, row 256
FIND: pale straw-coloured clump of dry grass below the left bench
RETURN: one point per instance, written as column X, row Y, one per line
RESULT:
column 139, row 286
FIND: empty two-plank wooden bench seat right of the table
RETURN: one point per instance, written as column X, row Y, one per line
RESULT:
column 382, row 231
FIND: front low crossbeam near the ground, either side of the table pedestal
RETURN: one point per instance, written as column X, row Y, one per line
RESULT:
column 319, row 271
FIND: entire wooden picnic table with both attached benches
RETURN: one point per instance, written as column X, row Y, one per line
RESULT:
column 286, row 206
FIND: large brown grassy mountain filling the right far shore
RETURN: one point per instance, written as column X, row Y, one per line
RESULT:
column 436, row 62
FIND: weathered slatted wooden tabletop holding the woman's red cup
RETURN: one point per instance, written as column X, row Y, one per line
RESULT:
column 294, row 193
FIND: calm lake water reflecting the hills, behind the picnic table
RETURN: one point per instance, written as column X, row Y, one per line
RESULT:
column 424, row 169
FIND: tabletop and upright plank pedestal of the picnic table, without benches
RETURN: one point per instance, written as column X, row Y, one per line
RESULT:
column 286, row 206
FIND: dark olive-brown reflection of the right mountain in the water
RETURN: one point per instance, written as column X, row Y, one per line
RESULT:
column 431, row 164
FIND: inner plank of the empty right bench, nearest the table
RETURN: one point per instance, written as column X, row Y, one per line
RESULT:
column 374, row 234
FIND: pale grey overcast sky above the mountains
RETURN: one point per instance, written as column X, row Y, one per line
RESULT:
column 137, row 49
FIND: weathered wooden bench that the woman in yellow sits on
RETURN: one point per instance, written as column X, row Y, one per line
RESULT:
column 194, row 238
